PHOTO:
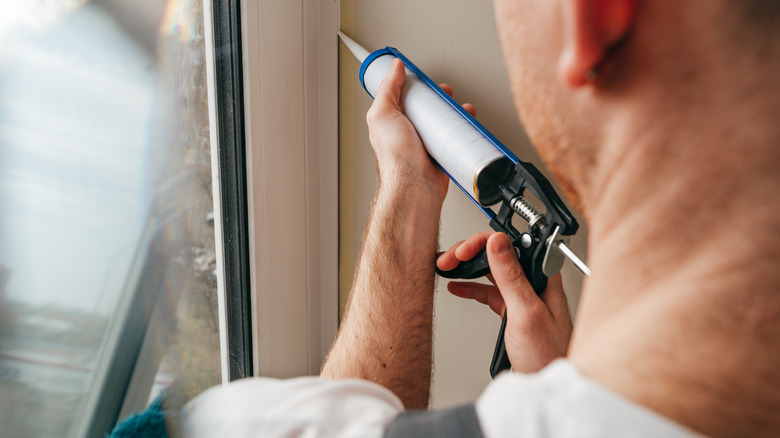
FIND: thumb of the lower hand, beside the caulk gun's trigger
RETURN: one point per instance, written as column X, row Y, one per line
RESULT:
column 510, row 279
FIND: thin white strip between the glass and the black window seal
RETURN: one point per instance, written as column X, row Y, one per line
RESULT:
column 216, row 188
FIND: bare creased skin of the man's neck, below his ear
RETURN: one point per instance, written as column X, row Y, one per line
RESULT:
column 682, row 313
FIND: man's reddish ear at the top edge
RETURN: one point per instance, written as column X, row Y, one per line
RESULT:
column 591, row 27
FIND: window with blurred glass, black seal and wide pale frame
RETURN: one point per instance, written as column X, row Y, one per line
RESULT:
column 151, row 164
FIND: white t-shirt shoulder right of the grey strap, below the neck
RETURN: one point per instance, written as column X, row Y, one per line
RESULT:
column 561, row 402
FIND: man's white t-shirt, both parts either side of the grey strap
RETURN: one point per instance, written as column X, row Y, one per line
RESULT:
column 557, row 402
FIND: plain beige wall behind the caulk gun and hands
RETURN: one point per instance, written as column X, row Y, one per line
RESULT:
column 452, row 41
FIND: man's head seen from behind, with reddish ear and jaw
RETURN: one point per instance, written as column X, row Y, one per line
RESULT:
column 580, row 68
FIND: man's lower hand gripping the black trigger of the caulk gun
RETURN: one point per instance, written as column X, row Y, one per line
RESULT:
column 538, row 327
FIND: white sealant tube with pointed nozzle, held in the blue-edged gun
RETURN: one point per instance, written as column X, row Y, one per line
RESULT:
column 468, row 156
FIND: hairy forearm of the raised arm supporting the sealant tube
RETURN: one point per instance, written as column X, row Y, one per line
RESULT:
column 386, row 334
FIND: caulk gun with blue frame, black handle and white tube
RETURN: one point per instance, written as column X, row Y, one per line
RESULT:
column 487, row 172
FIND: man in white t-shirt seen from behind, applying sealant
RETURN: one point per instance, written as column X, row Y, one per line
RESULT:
column 659, row 119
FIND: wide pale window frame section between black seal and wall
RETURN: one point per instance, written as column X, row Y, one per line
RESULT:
column 290, row 83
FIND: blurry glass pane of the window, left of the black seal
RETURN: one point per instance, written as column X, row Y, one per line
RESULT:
column 105, row 202
